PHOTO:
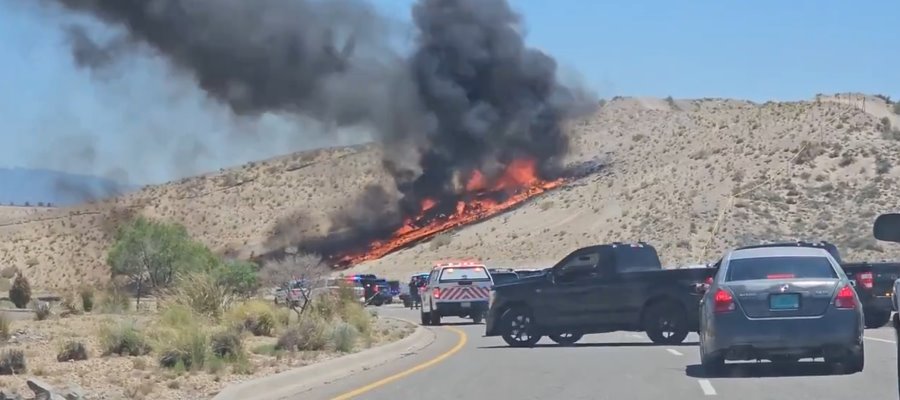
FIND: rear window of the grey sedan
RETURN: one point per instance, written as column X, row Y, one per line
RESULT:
column 746, row 269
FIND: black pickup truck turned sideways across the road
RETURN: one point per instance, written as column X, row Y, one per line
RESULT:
column 595, row 289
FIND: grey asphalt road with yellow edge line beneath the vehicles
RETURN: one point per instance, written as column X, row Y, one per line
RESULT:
column 620, row 365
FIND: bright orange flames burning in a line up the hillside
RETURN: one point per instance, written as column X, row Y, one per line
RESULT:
column 519, row 181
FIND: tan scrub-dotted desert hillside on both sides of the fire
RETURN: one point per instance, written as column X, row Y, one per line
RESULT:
column 817, row 169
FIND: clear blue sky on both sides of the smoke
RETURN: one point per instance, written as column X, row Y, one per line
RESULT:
column 57, row 116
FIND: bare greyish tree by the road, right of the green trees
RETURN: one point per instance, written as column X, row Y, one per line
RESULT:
column 295, row 266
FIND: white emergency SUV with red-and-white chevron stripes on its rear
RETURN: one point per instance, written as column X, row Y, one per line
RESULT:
column 456, row 288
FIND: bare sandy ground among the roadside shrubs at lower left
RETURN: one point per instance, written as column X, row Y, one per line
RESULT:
column 131, row 378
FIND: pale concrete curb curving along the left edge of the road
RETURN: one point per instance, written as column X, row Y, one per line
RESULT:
column 290, row 383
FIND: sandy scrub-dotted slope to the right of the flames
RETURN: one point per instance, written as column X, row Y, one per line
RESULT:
column 674, row 166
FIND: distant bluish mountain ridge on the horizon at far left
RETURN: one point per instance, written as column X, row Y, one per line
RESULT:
column 25, row 185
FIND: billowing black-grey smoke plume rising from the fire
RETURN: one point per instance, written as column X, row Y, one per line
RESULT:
column 470, row 94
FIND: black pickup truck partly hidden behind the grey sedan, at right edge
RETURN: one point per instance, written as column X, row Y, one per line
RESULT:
column 874, row 281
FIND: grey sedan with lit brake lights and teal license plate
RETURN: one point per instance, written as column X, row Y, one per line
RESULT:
column 781, row 304
